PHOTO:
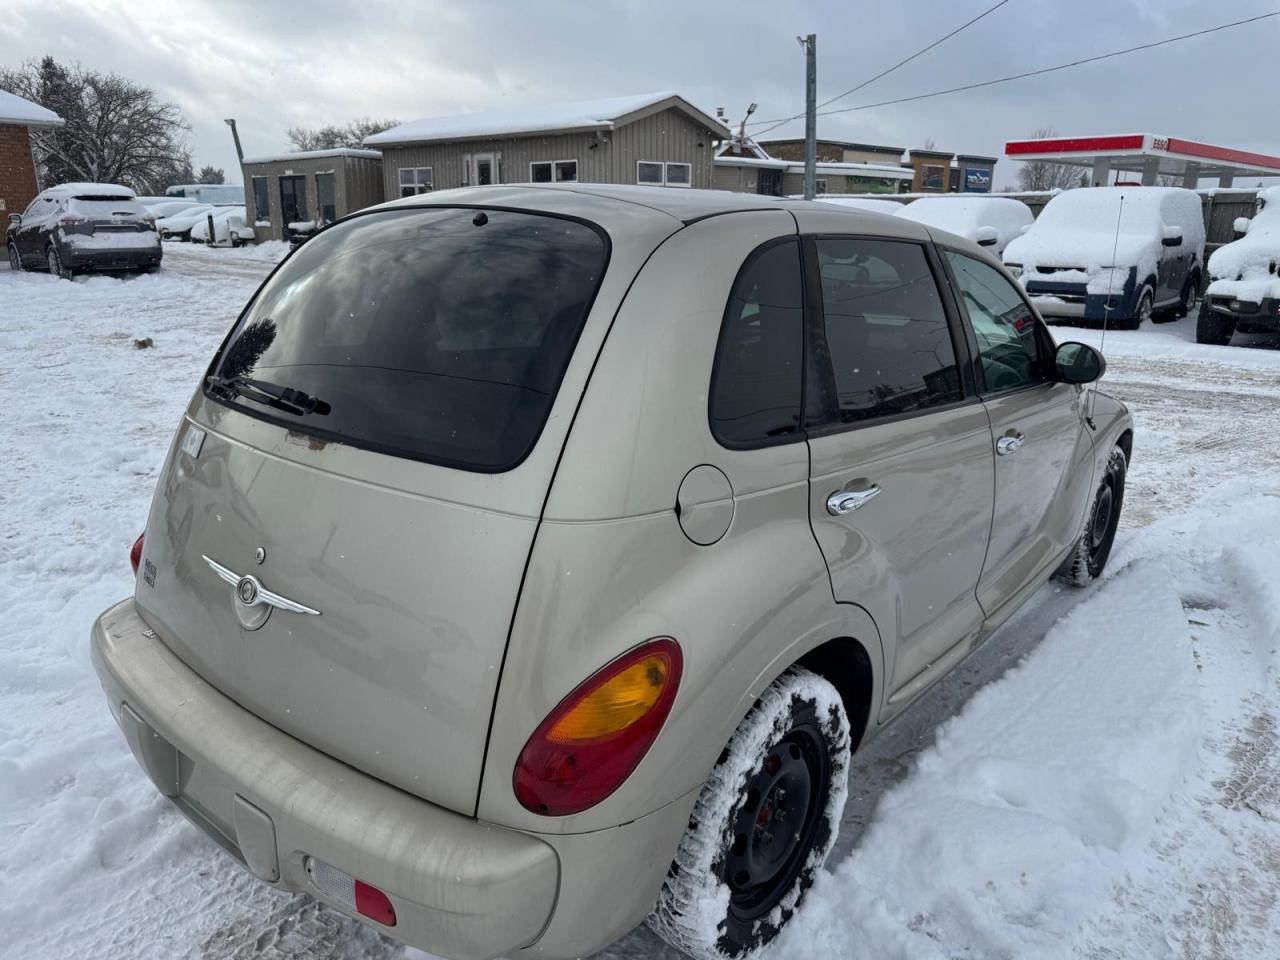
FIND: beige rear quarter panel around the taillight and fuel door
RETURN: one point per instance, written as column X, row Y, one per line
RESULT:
column 611, row 566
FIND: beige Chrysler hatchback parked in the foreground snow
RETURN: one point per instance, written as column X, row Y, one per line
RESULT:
column 427, row 628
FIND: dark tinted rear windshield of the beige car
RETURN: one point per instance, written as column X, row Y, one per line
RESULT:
column 437, row 335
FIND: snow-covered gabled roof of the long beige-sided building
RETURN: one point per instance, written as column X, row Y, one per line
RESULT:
column 551, row 118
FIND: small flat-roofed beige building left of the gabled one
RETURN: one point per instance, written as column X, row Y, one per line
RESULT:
column 298, row 194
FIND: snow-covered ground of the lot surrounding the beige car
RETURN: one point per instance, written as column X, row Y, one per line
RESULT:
column 1100, row 780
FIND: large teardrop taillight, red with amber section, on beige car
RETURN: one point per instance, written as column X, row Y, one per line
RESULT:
column 598, row 734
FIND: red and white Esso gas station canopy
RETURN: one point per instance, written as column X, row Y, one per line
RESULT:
column 1148, row 157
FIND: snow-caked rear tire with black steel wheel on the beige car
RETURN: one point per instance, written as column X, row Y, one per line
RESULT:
column 701, row 909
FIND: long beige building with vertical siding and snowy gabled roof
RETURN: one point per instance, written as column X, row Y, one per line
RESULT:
column 653, row 139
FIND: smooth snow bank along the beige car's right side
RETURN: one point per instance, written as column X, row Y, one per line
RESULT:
column 1014, row 828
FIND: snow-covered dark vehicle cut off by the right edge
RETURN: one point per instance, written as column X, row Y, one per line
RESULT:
column 1245, row 290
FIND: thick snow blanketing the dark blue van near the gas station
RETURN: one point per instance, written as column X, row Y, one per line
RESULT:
column 1090, row 230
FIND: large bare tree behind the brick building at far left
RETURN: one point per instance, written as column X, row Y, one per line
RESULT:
column 116, row 131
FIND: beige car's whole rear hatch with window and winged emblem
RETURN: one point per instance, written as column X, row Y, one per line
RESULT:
column 368, row 447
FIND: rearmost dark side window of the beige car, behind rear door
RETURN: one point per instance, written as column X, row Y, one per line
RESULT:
column 757, row 381
